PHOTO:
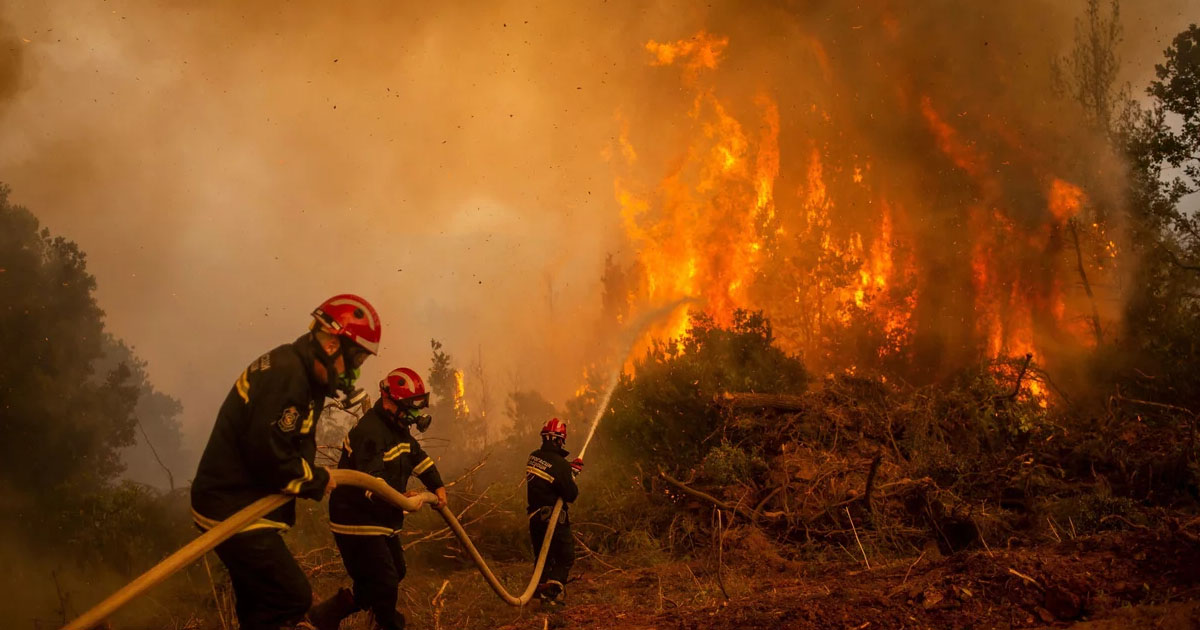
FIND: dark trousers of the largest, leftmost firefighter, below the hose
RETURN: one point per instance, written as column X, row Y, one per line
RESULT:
column 268, row 585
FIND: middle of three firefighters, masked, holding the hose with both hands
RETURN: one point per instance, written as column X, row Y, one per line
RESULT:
column 365, row 529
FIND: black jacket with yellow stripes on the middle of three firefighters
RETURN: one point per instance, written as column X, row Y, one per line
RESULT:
column 382, row 447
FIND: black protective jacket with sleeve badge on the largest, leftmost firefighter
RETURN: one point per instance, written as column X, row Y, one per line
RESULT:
column 265, row 441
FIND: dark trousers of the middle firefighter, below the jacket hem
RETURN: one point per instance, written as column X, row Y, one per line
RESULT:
column 376, row 565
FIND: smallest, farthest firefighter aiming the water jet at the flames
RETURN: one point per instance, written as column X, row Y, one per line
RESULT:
column 551, row 478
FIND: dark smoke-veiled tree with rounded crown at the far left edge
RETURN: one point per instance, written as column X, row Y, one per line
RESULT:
column 64, row 421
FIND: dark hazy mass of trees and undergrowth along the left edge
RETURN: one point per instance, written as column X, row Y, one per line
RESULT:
column 71, row 399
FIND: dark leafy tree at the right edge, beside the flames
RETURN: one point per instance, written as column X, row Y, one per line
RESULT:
column 1163, row 151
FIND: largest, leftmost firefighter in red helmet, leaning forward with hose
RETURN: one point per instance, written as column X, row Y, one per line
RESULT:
column 265, row 442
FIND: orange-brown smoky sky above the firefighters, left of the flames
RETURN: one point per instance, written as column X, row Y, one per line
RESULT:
column 229, row 165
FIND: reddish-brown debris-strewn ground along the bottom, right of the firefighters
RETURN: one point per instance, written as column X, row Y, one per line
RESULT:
column 1109, row 581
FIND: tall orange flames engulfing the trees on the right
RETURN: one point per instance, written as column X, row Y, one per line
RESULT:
column 854, row 268
